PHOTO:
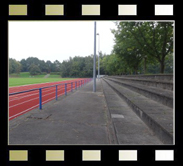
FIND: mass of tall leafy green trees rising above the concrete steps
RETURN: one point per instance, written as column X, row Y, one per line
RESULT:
column 140, row 44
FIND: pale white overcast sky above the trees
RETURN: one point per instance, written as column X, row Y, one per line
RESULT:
column 58, row 40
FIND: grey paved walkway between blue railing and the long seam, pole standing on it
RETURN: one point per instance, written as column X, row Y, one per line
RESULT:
column 79, row 118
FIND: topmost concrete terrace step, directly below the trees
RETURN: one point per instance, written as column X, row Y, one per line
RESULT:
column 168, row 85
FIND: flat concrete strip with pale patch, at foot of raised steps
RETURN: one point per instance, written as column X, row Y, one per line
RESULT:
column 129, row 128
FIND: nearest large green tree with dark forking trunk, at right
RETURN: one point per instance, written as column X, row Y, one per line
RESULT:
column 153, row 39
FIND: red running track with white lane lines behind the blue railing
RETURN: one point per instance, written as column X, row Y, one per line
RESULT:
column 21, row 103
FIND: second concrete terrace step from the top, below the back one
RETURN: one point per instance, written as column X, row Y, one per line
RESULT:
column 162, row 96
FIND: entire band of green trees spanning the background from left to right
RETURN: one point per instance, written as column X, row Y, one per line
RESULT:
column 140, row 48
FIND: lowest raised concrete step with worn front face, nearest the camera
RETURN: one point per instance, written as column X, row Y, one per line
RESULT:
column 157, row 116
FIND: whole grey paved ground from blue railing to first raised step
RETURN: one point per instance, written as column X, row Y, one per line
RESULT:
column 82, row 118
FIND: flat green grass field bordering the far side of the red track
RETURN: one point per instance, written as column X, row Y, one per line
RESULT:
column 25, row 81
